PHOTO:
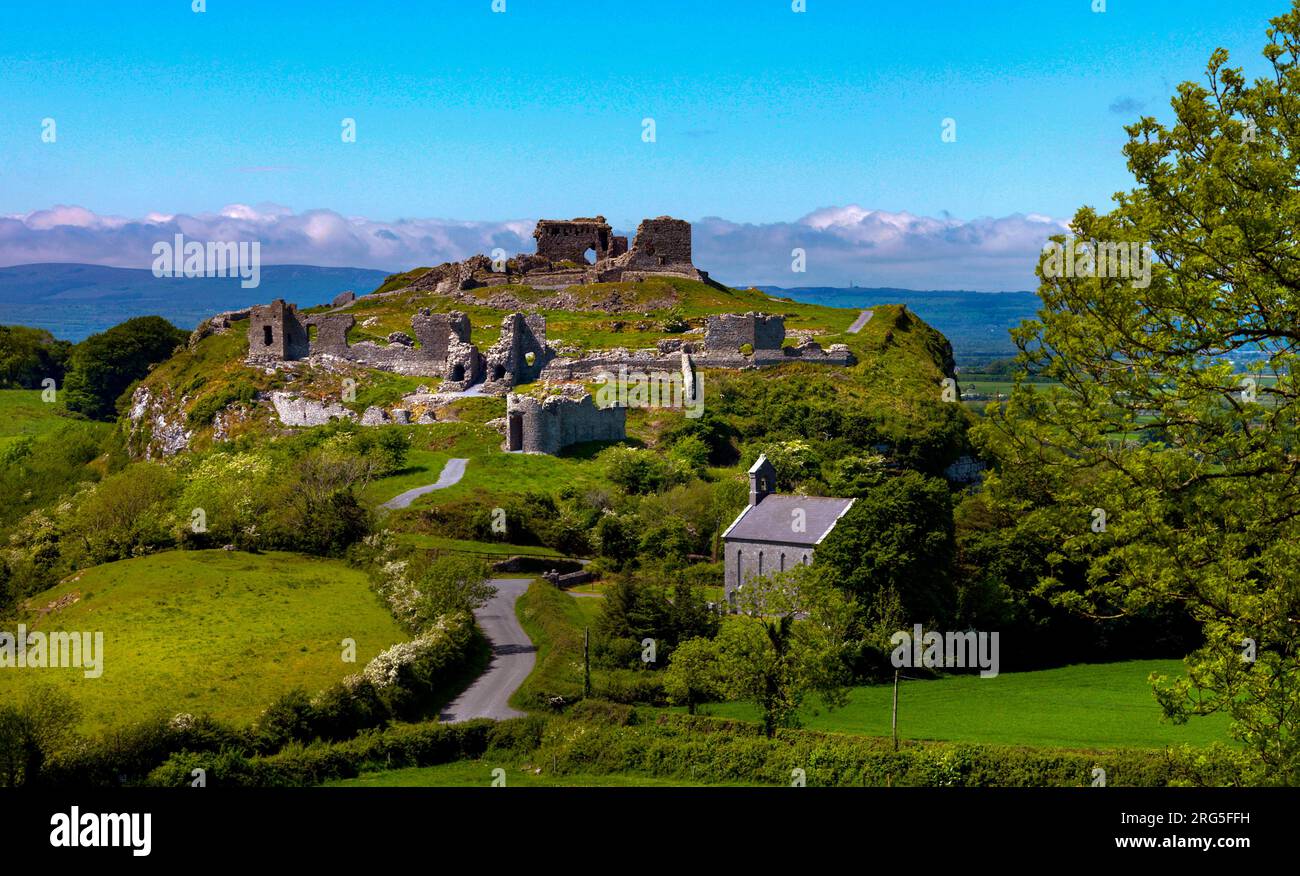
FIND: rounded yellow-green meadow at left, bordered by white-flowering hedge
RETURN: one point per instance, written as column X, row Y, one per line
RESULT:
column 213, row 632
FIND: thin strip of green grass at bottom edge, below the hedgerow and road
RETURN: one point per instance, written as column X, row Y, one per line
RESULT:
column 479, row 774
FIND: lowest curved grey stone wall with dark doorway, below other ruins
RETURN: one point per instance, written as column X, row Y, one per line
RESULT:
column 547, row 427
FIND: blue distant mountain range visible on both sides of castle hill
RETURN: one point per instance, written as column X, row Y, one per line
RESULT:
column 76, row 301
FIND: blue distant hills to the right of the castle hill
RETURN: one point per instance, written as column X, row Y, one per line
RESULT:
column 976, row 323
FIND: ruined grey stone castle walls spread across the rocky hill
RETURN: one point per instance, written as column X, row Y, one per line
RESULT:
column 569, row 253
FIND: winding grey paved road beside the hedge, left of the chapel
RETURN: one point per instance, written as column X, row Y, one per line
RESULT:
column 513, row 658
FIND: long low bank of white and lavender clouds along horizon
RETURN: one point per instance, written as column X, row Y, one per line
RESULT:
column 842, row 245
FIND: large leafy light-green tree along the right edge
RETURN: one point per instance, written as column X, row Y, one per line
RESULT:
column 1167, row 475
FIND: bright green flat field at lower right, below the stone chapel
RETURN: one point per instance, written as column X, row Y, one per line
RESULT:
column 1106, row 705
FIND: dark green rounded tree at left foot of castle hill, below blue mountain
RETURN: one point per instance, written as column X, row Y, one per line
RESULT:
column 103, row 366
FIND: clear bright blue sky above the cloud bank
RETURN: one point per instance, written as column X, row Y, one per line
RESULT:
column 762, row 115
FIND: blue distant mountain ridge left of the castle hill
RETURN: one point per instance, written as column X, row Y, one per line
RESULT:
column 77, row 301
